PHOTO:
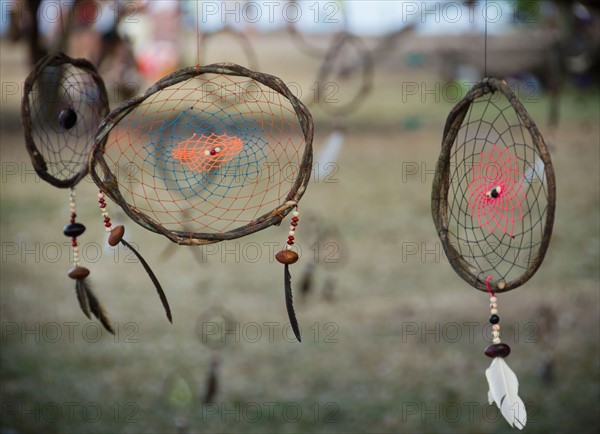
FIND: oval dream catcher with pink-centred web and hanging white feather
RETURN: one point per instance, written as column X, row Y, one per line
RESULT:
column 493, row 204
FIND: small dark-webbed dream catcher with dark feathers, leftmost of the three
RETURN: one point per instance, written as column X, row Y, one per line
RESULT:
column 64, row 100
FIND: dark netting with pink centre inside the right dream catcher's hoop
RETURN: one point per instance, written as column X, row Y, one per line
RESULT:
column 498, row 194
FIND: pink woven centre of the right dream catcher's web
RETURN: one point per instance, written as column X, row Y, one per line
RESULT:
column 499, row 171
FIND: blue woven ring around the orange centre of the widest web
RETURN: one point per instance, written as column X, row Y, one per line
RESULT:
column 234, row 174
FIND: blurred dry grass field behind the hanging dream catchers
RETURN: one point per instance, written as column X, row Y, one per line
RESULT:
column 393, row 338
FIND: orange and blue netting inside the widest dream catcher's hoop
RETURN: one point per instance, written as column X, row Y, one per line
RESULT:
column 208, row 154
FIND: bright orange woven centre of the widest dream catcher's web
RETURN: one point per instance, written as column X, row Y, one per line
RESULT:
column 206, row 153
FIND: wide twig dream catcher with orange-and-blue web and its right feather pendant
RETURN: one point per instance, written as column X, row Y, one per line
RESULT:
column 207, row 154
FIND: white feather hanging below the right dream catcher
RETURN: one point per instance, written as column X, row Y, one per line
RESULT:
column 504, row 389
